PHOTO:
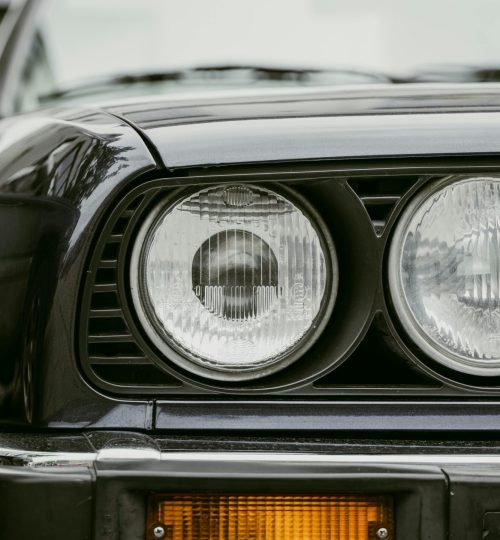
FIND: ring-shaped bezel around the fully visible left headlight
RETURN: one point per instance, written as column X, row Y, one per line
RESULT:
column 183, row 358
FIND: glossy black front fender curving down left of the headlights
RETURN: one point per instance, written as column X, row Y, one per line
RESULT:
column 57, row 171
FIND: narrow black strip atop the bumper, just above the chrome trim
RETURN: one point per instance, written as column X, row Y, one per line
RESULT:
column 20, row 445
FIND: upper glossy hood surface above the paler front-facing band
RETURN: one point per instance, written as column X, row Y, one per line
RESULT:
column 156, row 112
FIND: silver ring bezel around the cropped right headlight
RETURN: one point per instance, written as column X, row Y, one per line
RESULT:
column 458, row 365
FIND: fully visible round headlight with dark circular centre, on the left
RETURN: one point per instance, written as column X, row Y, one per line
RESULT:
column 233, row 282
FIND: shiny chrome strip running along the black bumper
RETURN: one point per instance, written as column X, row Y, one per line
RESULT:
column 67, row 459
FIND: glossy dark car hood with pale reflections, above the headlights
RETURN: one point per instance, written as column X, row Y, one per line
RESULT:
column 339, row 122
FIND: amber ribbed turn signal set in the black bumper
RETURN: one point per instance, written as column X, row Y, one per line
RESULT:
column 237, row 516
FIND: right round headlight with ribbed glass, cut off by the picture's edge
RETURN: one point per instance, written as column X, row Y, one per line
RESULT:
column 444, row 273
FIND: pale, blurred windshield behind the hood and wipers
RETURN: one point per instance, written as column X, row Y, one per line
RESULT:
column 82, row 41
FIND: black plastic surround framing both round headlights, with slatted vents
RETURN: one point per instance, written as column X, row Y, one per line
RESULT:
column 360, row 211
